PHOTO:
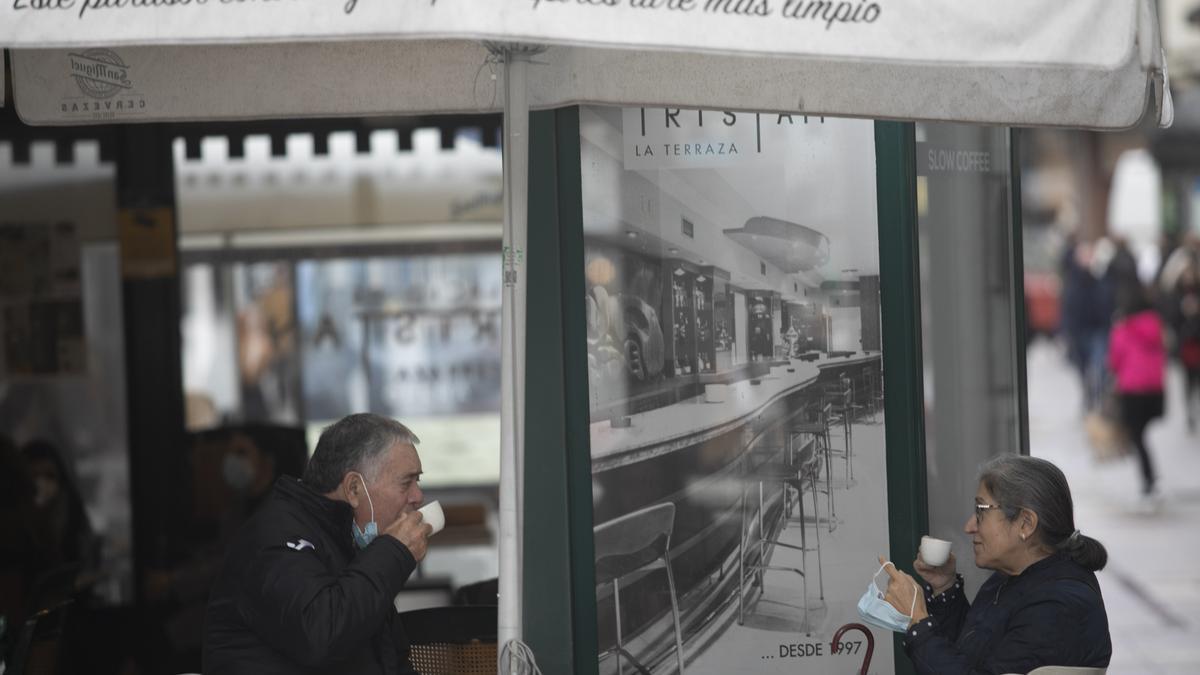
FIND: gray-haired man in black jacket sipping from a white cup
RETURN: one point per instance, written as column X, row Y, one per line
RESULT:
column 309, row 582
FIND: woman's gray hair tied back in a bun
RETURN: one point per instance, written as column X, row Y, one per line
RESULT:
column 1019, row 482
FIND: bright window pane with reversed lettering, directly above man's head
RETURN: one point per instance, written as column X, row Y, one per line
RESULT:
column 413, row 338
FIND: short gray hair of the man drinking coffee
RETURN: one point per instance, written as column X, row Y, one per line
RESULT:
column 357, row 443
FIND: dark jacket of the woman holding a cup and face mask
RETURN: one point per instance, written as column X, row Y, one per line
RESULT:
column 1052, row 614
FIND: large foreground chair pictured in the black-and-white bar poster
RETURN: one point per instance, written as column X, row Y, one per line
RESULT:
column 638, row 542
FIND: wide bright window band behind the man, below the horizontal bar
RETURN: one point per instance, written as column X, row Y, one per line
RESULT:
column 416, row 338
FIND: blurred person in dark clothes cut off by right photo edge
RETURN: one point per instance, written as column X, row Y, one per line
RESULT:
column 1184, row 314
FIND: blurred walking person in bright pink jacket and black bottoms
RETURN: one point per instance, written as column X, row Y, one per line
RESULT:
column 1138, row 360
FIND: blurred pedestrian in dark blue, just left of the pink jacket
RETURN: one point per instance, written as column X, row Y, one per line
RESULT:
column 1088, row 304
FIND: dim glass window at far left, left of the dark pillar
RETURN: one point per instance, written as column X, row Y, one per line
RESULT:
column 63, row 392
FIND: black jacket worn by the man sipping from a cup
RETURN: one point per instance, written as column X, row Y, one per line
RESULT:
column 295, row 595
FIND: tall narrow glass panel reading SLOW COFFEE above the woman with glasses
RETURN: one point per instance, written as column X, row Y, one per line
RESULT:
column 970, row 347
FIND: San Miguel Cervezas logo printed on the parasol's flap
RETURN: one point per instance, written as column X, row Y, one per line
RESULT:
column 104, row 79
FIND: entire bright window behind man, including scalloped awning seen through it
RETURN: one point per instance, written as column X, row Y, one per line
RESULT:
column 352, row 279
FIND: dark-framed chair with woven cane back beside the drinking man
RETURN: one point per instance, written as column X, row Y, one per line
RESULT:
column 452, row 641
